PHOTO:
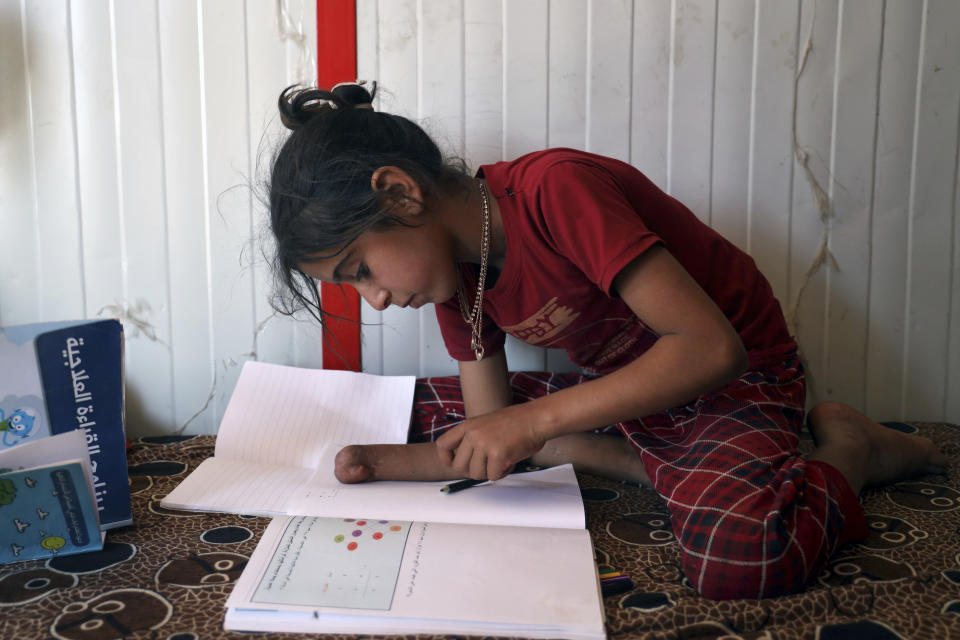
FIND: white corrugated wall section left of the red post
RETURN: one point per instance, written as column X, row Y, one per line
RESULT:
column 131, row 136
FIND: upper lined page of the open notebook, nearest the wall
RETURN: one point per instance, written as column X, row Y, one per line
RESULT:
column 287, row 416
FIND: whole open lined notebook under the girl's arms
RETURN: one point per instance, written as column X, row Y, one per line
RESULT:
column 284, row 426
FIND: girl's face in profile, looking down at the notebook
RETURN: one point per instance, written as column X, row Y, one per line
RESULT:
column 403, row 266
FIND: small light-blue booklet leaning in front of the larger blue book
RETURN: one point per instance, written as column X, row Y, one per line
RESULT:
column 48, row 505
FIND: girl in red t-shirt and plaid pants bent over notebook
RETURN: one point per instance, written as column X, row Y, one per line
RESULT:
column 684, row 347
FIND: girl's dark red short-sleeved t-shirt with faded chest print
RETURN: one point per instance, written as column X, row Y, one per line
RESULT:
column 573, row 220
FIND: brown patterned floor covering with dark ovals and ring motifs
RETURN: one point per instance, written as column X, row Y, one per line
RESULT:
column 167, row 576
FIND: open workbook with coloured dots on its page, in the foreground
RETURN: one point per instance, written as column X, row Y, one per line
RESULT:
column 366, row 576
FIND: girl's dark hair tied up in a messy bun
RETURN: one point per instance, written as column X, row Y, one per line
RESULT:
column 320, row 193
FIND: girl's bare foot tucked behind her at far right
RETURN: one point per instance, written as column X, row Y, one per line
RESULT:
column 866, row 452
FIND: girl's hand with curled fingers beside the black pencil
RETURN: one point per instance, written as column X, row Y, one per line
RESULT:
column 488, row 446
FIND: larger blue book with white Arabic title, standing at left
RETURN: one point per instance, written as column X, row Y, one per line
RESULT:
column 57, row 377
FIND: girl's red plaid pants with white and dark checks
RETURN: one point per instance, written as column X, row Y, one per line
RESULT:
column 752, row 517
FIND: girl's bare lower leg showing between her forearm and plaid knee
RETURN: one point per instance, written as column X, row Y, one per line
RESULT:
column 609, row 456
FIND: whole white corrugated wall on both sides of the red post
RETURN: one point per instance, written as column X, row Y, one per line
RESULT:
column 821, row 137
